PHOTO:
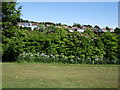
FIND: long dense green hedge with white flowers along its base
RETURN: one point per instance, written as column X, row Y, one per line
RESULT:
column 60, row 46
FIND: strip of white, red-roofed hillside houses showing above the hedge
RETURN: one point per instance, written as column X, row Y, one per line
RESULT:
column 80, row 29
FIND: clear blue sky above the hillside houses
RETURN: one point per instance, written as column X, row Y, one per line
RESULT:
column 93, row 13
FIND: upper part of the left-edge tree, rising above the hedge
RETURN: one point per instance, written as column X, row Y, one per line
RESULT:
column 10, row 14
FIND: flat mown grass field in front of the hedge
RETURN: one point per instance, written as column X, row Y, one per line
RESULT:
column 31, row 75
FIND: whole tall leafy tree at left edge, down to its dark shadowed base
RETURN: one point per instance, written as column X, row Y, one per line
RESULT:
column 10, row 34
